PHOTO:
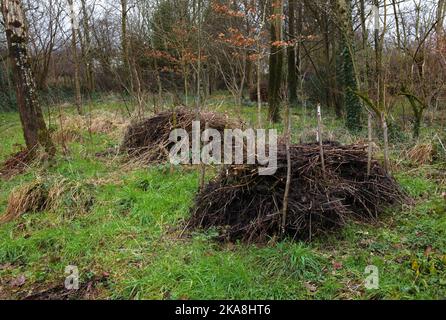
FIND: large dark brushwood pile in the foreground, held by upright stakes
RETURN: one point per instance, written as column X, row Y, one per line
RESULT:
column 245, row 206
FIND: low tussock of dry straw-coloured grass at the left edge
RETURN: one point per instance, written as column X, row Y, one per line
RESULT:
column 57, row 194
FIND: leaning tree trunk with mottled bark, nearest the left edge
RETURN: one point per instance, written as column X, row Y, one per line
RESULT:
column 31, row 116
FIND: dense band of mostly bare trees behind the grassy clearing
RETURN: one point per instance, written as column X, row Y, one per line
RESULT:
column 144, row 49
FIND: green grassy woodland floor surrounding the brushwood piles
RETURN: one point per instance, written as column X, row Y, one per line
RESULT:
column 128, row 246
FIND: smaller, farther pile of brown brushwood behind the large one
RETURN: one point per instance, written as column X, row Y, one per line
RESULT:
column 149, row 139
